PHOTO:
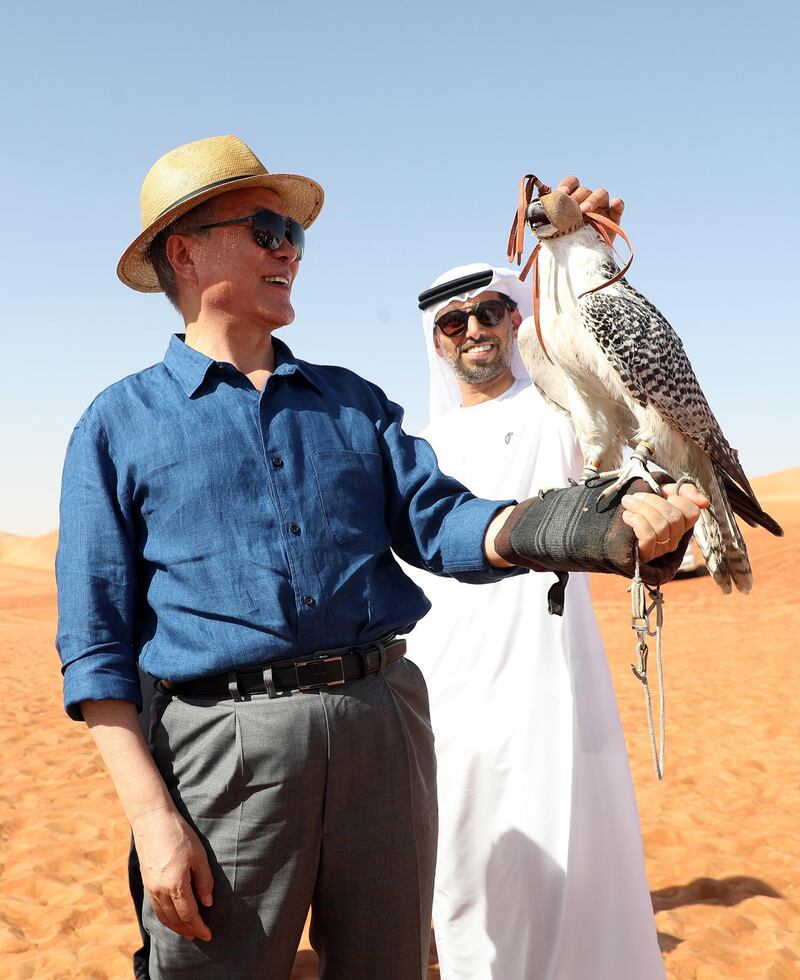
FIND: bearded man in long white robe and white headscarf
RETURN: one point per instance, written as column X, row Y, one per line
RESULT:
column 540, row 873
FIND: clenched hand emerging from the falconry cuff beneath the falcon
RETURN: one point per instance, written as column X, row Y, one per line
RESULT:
column 660, row 523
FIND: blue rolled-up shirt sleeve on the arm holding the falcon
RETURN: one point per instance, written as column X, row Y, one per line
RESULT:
column 434, row 521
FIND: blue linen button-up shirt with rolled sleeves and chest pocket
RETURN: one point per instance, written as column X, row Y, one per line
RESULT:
column 207, row 526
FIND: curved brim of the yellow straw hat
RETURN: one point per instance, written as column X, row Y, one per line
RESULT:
column 301, row 196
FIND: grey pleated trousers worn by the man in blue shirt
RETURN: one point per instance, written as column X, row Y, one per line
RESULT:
column 324, row 799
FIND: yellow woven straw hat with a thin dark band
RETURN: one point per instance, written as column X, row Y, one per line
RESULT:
column 195, row 172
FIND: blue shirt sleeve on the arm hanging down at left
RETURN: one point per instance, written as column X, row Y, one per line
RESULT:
column 96, row 570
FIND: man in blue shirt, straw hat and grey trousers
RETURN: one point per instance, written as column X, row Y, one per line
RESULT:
column 228, row 519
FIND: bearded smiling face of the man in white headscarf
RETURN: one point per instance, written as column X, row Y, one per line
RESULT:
column 482, row 353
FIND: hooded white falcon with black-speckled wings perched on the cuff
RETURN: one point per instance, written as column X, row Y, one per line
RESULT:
column 600, row 351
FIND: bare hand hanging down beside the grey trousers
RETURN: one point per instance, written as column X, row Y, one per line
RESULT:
column 174, row 869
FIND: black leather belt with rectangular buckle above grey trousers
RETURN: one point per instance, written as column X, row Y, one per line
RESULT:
column 325, row 668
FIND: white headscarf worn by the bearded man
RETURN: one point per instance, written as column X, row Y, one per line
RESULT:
column 444, row 391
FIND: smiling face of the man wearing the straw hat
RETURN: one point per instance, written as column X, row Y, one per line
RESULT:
column 237, row 279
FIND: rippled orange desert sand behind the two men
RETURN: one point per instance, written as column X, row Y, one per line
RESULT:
column 720, row 832
